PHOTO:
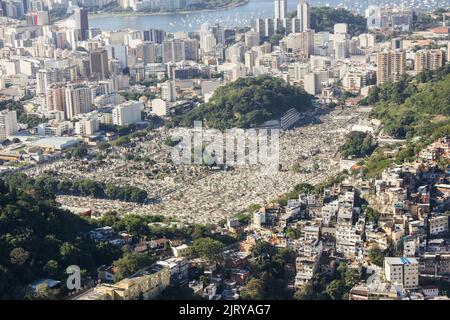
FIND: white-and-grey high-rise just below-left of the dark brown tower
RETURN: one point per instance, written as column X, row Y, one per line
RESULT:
column 78, row 100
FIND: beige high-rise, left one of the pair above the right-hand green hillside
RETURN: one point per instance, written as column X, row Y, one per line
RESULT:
column 391, row 65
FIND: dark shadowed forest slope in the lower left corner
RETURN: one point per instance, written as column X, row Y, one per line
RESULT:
column 39, row 240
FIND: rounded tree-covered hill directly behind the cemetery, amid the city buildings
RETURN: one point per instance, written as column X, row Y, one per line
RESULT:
column 248, row 102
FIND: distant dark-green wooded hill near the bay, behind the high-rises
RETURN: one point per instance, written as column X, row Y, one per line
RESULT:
column 324, row 19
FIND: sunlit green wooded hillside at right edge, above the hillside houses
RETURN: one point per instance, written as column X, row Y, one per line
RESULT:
column 414, row 106
